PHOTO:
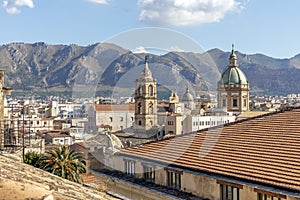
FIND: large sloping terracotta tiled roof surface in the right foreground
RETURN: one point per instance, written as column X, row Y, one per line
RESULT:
column 264, row 149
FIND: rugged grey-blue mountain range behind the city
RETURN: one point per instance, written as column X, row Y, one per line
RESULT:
column 104, row 68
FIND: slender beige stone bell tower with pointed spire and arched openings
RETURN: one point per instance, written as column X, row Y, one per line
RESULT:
column 145, row 103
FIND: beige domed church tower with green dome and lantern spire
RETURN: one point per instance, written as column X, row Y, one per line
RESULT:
column 233, row 88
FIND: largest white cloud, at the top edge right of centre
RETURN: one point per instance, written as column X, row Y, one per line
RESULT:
column 185, row 12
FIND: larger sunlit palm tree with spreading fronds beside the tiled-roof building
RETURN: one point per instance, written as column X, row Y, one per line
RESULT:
column 65, row 163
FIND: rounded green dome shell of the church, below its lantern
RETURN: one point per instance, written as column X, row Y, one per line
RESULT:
column 233, row 75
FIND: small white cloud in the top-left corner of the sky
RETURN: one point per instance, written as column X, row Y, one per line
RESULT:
column 13, row 6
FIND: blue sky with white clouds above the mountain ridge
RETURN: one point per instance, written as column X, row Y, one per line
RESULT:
column 253, row 26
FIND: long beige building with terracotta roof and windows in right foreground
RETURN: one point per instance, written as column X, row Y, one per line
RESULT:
column 254, row 159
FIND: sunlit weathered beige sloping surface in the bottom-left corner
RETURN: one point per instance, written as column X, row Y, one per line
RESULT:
column 22, row 181
